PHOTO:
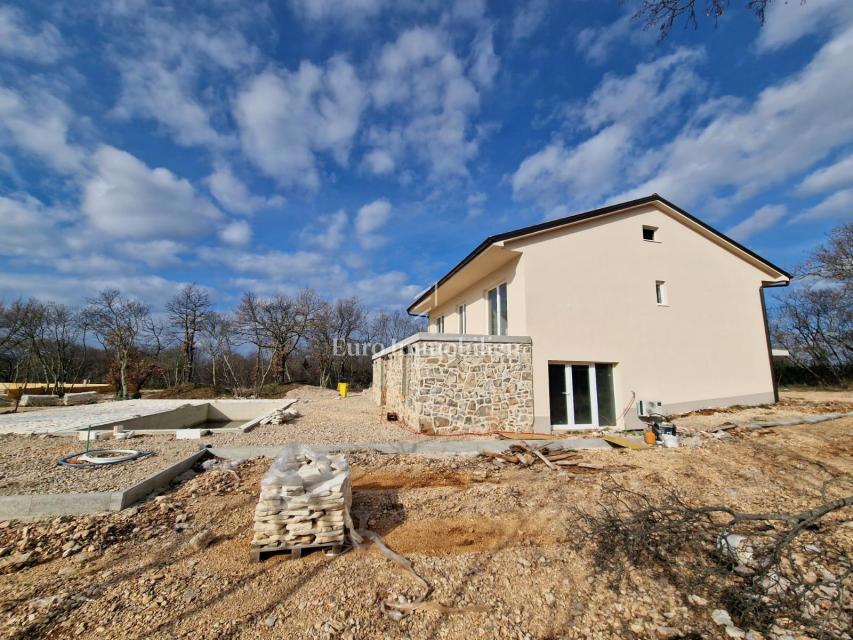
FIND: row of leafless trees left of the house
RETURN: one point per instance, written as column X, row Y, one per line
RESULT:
column 262, row 341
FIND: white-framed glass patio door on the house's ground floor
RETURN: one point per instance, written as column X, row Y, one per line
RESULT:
column 581, row 395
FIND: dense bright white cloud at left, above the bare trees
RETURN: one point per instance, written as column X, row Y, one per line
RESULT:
column 127, row 199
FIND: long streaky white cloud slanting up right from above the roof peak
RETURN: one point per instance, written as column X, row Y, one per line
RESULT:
column 744, row 148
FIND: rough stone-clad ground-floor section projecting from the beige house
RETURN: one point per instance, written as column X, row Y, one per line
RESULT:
column 467, row 386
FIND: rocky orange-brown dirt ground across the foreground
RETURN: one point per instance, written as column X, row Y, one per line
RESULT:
column 503, row 541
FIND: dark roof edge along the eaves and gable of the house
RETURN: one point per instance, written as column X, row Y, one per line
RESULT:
column 580, row 217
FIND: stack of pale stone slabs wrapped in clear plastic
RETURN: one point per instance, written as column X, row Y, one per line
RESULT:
column 305, row 501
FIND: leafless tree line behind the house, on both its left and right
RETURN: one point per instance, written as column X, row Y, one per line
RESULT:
column 297, row 338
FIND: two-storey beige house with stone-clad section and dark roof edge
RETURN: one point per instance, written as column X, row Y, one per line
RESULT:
column 567, row 324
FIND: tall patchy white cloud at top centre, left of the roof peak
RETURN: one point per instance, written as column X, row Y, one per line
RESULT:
column 422, row 86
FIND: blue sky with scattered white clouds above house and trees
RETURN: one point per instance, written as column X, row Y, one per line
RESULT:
column 362, row 147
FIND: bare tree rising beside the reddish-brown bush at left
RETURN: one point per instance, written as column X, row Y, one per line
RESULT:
column 118, row 323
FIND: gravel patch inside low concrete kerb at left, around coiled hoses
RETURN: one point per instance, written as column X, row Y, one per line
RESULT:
column 28, row 464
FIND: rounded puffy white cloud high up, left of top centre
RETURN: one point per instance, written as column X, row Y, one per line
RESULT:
column 287, row 118
